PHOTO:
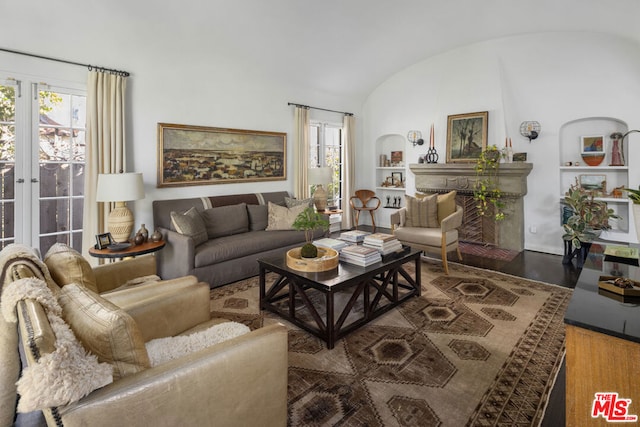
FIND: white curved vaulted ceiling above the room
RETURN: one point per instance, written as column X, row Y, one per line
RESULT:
column 345, row 47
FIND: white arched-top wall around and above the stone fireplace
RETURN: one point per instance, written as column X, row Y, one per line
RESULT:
column 552, row 78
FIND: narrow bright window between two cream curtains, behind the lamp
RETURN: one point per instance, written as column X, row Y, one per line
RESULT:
column 325, row 147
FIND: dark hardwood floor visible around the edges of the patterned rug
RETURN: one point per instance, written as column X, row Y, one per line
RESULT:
column 542, row 267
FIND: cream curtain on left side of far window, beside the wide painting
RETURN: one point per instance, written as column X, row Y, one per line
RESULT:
column 301, row 153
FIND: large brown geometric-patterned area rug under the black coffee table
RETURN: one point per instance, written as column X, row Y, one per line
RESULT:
column 478, row 348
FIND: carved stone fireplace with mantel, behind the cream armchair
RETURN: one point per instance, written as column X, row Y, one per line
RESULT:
column 512, row 179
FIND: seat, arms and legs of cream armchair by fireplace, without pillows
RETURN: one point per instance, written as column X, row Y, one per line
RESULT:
column 441, row 239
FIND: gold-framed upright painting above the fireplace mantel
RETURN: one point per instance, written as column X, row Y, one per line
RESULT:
column 466, row 136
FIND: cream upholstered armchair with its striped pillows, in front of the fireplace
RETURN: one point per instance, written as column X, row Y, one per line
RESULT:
column 430, row 223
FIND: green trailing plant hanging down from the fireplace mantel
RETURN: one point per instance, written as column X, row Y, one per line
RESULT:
column 486, row 191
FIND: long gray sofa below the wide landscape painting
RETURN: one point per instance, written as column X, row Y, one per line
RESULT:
column 233, row 253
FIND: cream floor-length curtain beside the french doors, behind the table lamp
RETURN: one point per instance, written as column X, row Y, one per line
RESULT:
column 105, row 152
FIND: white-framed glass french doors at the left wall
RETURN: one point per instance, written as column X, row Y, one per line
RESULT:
column 42, row 160
